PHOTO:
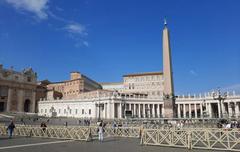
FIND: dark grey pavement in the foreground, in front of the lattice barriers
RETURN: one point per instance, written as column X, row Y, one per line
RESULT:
column 26, row 144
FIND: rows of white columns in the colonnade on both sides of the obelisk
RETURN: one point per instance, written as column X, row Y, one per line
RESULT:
column 184, row 110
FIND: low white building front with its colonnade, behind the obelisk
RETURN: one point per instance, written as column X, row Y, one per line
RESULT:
column 113, row 105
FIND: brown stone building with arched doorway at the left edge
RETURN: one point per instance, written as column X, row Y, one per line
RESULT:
column 17, row 90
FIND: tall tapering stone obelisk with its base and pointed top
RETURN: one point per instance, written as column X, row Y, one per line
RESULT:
column 168, row 91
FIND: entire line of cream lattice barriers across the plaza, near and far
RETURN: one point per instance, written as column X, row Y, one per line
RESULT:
column 200, row 138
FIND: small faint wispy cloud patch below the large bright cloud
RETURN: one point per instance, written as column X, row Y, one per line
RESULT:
column 76, row 28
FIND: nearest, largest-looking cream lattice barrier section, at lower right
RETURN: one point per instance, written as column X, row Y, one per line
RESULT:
column 212, row 139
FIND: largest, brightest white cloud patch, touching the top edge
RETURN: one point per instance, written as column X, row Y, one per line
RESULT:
column 37, row 7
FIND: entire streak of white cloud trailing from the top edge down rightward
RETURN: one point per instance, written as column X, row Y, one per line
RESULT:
column 40, row 8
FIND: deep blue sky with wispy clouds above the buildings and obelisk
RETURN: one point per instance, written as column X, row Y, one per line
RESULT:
column 107, row 39
